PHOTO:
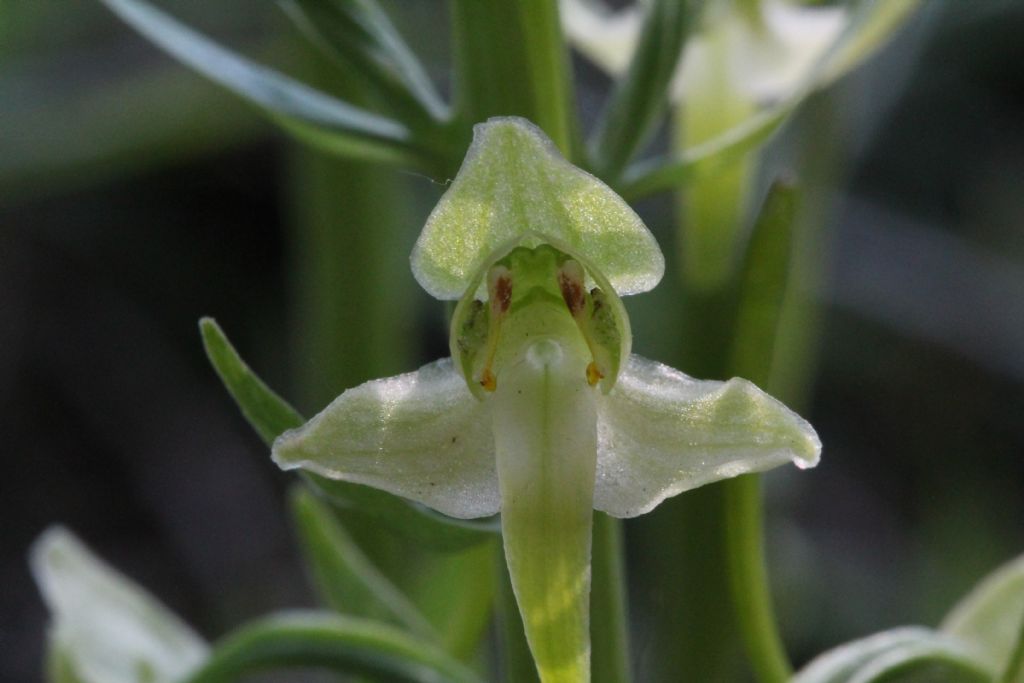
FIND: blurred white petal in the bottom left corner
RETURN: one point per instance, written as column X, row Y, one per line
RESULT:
column 108, row 629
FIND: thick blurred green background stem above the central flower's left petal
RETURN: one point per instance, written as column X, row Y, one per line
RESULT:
column 348, row 316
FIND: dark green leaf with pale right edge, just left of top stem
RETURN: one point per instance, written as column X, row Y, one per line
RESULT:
column 359, row 35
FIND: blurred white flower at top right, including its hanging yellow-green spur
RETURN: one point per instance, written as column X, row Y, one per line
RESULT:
column 745, row 69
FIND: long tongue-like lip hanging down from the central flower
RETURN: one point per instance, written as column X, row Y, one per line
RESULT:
column 545, row 435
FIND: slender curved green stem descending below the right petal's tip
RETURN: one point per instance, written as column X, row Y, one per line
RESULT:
column 749, row 580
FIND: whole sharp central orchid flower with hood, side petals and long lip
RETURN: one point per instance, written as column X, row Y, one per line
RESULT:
column 542, row 413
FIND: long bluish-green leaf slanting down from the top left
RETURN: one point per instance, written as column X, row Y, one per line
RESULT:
column 307, row 112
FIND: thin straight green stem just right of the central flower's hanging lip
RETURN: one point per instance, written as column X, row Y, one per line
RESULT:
column 609, row 619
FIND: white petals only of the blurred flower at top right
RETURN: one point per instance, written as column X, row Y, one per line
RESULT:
column 761, row 52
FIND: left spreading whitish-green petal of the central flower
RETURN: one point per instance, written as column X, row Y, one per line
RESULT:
column 419, row 436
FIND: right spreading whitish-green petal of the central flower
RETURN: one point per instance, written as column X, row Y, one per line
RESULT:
column 661, row 434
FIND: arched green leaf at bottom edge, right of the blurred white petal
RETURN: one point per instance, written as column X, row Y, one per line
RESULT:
column 344, row 646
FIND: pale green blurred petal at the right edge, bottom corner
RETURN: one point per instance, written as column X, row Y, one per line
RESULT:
column 990, row 620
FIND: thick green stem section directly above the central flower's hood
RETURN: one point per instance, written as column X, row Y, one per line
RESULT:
column 511, row 61
